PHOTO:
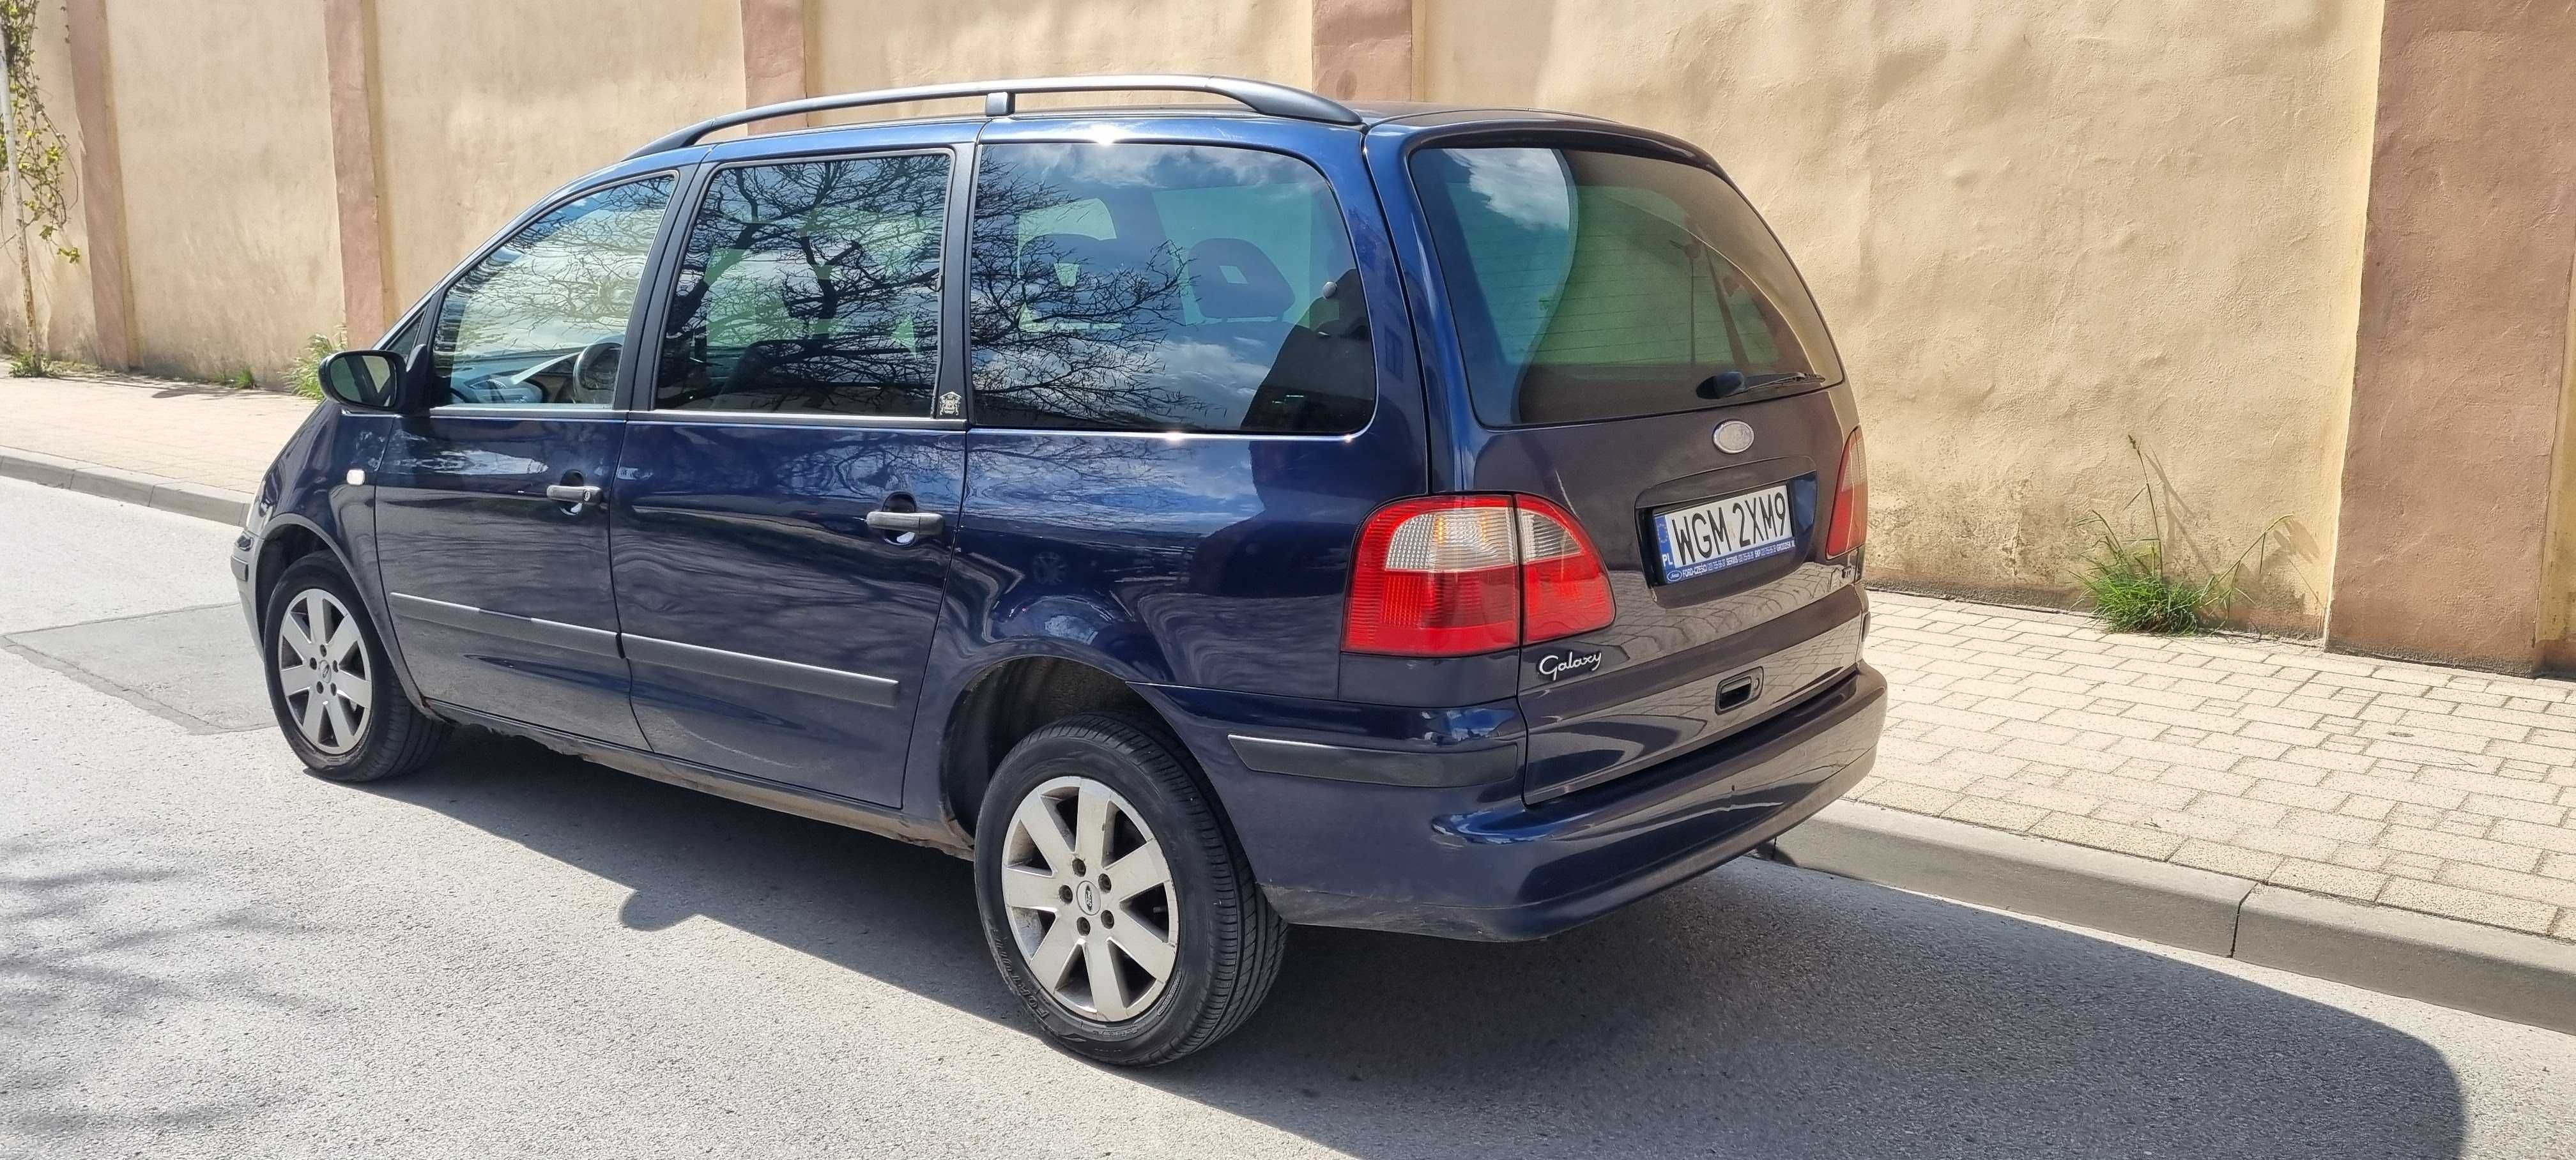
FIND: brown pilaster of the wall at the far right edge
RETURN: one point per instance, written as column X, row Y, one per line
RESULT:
column 2464, row 331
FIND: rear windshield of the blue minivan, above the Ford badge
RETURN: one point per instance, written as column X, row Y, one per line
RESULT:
column 1601, row 285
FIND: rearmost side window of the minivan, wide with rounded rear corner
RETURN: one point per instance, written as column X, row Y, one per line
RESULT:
column 1163, row 287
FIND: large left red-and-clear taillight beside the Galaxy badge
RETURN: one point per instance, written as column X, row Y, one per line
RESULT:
column 1454, row 576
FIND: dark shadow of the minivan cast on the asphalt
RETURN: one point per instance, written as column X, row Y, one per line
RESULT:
column 1756, row 1012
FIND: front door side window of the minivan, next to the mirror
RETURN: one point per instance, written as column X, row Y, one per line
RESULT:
column 542, row 318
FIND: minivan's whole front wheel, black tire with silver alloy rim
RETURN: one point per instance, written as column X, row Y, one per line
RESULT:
column 331, row 684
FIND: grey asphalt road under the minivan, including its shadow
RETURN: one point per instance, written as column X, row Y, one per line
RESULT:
column 207, row 952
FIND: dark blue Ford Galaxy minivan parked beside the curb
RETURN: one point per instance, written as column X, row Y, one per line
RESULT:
column 1207, row 519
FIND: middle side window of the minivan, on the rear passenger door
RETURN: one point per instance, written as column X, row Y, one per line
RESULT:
column 810, row 287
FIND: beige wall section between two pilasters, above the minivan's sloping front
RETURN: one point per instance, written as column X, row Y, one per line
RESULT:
column 488, row 104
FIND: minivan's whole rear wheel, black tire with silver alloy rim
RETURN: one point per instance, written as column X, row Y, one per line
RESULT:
column 1104, row 999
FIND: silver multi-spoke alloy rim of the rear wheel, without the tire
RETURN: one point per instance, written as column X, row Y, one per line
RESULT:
column 1091, row 898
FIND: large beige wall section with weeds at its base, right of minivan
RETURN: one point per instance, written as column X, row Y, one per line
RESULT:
column 2036, row 231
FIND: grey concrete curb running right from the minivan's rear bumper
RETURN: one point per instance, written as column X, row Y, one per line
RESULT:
column 2400, row 952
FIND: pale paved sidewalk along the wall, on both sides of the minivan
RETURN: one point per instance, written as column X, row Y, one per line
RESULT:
column 2415, row 788
